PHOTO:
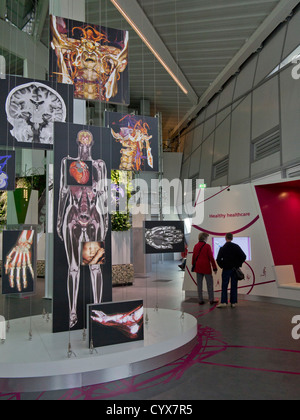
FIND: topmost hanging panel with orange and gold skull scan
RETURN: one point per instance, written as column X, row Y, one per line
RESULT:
column 91, row 57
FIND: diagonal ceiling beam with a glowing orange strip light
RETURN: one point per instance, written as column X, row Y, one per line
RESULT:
column 144, row 28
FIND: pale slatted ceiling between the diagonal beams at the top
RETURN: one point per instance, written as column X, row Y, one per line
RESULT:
column 206, row 41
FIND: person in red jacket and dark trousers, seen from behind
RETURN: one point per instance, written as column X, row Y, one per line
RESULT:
column 204, row 263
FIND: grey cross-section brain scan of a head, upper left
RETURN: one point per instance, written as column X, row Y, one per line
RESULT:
column 32, row 109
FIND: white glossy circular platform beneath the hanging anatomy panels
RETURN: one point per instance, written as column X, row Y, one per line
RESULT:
column 44, row 364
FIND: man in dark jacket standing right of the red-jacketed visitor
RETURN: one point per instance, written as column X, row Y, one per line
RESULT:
column 230, row 256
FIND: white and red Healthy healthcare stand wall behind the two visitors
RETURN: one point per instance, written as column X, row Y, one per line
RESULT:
column 264, row 220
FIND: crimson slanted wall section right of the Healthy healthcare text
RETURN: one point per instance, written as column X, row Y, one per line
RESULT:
column 280, row 207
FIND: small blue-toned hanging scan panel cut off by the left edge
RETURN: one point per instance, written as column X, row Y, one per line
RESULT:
column 7, row 170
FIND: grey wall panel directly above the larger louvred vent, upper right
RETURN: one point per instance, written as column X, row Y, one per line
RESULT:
column 265, row 107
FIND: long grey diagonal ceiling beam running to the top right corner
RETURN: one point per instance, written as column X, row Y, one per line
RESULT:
column 279, row 14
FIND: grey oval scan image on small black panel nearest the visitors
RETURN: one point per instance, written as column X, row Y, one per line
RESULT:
column 163, row 237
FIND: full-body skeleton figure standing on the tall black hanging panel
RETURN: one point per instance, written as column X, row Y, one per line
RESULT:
column 83, row 217
